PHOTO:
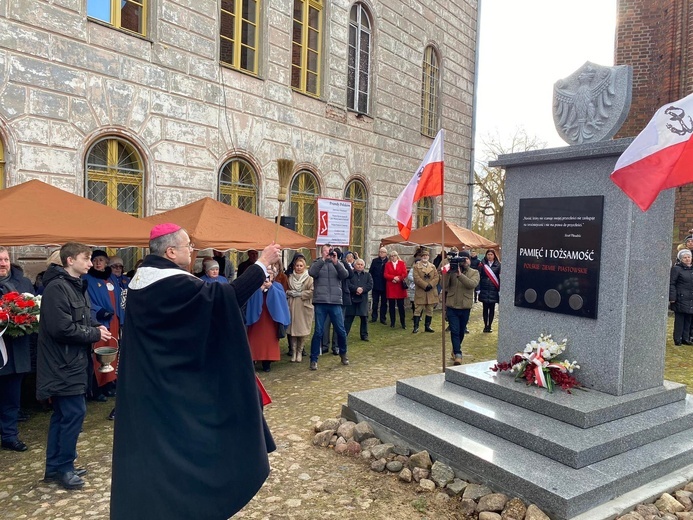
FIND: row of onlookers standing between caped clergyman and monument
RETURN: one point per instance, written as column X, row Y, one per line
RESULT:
column 337, row 288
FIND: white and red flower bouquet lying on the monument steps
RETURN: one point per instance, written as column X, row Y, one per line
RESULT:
column 538, row 365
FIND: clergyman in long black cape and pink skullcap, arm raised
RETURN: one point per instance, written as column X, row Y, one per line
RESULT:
column 190, row 440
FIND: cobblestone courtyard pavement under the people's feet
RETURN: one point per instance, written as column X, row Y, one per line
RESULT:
column 306, row 482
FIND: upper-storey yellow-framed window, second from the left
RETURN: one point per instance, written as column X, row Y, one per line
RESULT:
column 239, row 34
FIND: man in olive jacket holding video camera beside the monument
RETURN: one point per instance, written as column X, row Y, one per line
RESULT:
column 460, row 282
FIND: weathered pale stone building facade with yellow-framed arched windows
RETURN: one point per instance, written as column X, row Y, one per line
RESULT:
column 148, row 105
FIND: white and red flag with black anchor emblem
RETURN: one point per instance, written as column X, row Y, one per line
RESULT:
column 660, row 157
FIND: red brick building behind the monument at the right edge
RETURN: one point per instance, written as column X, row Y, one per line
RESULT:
column 655, row 37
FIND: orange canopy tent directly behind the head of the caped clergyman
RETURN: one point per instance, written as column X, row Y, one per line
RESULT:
column 213, row 224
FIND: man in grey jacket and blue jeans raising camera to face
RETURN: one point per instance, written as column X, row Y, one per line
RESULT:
column 328, row 273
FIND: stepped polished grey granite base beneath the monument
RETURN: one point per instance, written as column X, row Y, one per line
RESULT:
column 566, row 453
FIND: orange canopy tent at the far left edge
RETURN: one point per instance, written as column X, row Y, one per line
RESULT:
column 36, row 213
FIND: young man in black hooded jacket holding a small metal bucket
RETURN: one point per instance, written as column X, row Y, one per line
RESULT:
column 66, row 332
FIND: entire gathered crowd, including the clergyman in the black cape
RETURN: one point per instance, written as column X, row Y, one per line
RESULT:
column 235, row 320
